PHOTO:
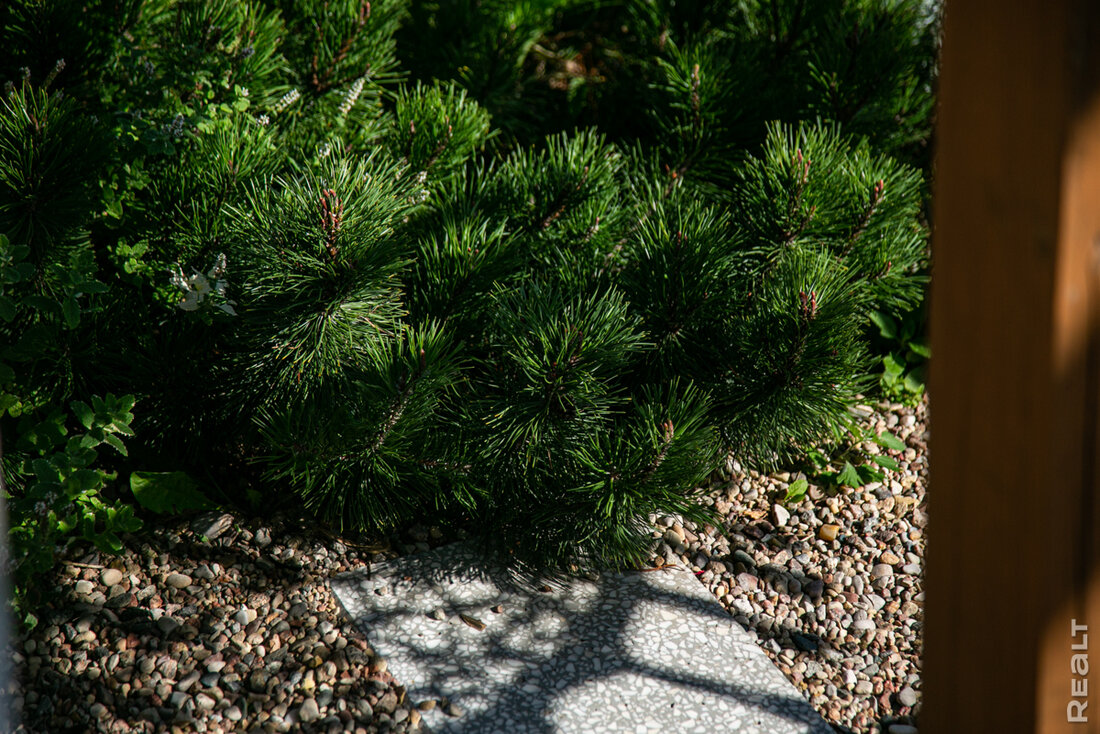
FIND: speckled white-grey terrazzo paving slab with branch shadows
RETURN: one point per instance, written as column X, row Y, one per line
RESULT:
column 633, row 653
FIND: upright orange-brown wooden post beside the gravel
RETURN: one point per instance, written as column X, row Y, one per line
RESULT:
column 1014, row 557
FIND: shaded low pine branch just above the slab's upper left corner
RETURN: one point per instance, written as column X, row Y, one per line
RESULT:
column 358, row 458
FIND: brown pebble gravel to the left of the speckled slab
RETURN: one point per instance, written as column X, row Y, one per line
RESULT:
column 210, row 627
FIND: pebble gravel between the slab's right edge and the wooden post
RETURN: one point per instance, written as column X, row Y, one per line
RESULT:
column 832, row 588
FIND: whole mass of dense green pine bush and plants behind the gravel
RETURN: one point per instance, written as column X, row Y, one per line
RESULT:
column 542, row 266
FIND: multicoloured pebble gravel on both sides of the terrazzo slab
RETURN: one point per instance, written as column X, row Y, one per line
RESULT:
column 217, row 626
